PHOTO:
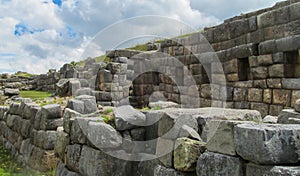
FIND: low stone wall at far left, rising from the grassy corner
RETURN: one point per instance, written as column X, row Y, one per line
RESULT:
column 29, row 132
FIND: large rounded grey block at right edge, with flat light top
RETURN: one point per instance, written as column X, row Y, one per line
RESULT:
column 268, row 143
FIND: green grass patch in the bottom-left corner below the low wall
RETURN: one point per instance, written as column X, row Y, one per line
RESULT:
column 10, row 167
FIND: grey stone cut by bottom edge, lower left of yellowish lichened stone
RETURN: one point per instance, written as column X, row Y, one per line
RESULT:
column 163, row 171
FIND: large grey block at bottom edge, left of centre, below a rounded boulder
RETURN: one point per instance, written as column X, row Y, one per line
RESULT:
column 96, row 163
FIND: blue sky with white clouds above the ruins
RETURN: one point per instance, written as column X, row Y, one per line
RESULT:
column 37, row 35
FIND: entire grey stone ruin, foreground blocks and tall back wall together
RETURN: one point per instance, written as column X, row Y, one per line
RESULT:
column 216, row 102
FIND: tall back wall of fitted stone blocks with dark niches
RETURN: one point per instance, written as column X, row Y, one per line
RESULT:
column 256, row 53
